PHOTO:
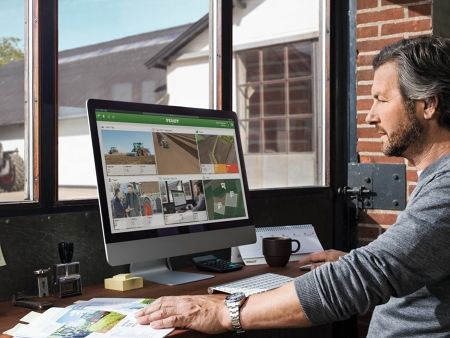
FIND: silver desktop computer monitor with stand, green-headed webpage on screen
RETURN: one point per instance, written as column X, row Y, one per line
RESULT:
column 142, row 152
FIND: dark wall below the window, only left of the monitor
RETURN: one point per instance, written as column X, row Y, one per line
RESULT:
column 30, row 243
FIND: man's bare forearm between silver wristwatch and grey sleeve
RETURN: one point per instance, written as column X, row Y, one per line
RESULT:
column 279, row 308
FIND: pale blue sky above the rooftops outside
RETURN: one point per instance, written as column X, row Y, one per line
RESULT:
column 87, row 22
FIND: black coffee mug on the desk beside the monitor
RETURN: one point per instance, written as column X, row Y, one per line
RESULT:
column 278, row 250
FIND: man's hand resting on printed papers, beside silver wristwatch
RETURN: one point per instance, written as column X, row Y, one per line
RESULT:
column 207, row 314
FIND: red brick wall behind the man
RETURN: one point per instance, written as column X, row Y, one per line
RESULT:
column 380, row 22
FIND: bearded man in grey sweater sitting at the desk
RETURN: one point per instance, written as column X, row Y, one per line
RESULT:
column 405, row 273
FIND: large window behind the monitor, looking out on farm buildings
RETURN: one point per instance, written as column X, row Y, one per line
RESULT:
column 282, row 126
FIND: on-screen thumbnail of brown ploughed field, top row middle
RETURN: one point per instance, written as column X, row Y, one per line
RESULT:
column 176, row 153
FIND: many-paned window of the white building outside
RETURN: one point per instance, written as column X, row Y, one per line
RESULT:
column 275, row 87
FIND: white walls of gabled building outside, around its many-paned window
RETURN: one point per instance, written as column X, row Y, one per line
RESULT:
column 262, row 23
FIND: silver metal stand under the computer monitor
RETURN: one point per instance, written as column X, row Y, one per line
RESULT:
column 157, row 271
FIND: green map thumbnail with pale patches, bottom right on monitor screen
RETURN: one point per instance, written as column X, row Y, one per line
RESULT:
column 224, row 198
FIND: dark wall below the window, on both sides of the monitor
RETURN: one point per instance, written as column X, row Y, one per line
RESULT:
column 30, row 243
